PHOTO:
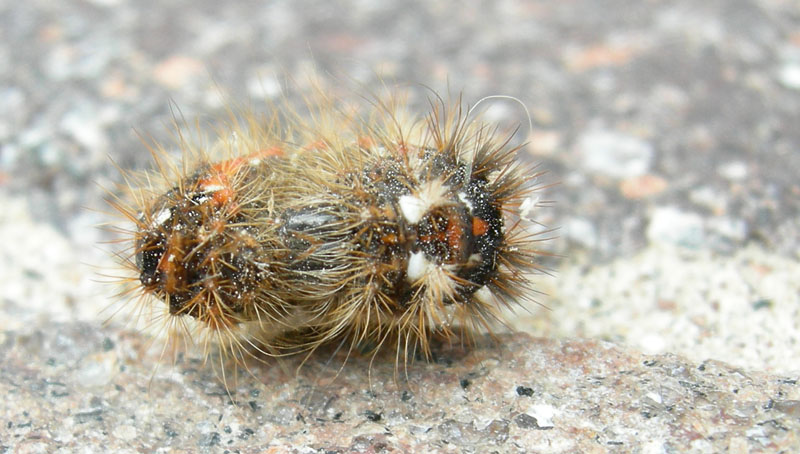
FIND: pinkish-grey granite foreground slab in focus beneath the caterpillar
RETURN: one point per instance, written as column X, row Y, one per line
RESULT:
column 523, row 395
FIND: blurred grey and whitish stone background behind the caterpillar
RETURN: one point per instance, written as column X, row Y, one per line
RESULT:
column 671, row 128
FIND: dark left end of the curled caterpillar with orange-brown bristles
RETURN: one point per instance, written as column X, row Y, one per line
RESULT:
column 195, row 252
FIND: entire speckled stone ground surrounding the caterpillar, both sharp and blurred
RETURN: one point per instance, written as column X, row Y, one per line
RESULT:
column 670, row 126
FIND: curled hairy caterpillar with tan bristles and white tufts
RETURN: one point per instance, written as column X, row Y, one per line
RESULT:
column 334, row 227
